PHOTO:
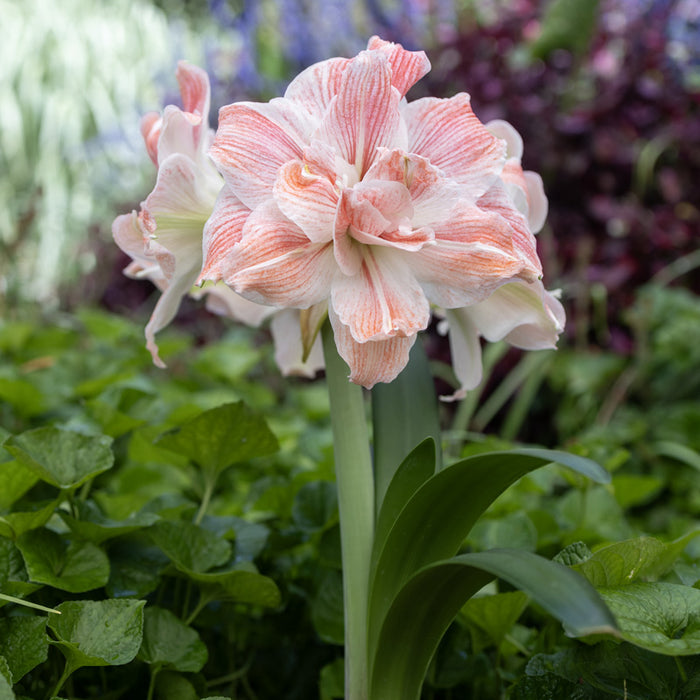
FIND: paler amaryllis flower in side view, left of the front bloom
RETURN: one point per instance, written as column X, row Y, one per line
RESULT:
column 165, row 237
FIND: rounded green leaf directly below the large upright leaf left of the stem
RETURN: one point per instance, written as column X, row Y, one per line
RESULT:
column 190, row 547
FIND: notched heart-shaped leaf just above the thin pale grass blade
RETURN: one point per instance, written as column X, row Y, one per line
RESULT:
column 73, row 566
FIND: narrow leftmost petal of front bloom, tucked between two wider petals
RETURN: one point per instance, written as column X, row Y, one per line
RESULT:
column 223, row 230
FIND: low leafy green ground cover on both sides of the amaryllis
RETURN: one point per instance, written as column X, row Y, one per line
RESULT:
column 184, row 523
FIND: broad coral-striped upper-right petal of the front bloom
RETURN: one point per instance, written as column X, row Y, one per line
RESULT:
column 451, row 137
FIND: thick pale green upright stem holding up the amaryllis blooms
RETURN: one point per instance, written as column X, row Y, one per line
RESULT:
column 355, row 482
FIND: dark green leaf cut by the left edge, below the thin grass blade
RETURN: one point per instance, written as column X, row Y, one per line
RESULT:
column 23, row 643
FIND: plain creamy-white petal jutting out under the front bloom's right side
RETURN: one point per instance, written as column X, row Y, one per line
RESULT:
column 522, row 313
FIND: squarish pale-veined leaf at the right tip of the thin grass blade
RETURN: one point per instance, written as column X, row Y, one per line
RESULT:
column 98, row 633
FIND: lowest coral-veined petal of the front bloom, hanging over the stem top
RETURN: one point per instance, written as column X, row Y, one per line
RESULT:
column 373, row 361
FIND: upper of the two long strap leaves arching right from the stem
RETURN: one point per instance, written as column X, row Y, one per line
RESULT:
column 440, row 514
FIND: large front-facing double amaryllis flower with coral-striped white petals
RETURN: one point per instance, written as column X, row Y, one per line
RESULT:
column 343, row 193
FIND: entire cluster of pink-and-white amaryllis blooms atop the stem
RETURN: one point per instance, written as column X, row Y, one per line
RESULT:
column 342, row 198
